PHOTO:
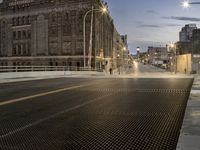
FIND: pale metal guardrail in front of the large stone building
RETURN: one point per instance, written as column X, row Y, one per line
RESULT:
column 45, row 68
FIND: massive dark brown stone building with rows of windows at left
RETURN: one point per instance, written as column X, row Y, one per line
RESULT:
column 50, row 33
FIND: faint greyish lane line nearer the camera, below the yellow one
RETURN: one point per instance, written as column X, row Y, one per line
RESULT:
column 53, row 116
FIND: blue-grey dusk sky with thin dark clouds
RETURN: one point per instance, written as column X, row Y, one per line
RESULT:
column 152, row 22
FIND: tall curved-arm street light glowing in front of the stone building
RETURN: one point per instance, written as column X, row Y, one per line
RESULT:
column 103, row 10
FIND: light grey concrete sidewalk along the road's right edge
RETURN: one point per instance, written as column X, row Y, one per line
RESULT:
column 190, row 133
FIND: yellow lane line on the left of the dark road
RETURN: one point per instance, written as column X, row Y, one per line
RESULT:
column 40, row 95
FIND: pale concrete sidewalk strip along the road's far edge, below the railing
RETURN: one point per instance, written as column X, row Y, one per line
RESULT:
column 27, row 76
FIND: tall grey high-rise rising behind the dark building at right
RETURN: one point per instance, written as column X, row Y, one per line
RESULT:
column 185, row 34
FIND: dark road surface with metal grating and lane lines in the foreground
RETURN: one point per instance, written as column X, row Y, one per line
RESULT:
column 73, row 113
